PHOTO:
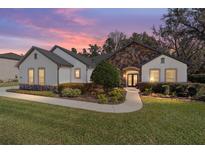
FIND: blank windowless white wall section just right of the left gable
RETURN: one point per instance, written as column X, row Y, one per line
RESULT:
column 64, row 75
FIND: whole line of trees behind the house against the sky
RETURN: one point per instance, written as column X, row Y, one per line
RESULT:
column 181, row 34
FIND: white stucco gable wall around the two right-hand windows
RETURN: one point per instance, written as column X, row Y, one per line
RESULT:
column 169, row 63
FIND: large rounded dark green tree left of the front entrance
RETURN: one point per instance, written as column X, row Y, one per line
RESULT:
column 107, row 75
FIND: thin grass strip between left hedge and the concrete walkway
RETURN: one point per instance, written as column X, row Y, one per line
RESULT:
column 31, row 92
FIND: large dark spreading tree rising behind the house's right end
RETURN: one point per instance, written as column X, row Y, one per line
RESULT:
column 182, row 31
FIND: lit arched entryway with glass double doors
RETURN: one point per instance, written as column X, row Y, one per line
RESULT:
column 131, row 76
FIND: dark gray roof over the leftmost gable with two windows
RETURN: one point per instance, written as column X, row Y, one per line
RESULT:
column 52, row 56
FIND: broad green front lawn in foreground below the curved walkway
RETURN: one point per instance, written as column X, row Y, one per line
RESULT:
column 161, row 121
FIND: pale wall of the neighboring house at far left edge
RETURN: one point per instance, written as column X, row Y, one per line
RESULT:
column 8, row 70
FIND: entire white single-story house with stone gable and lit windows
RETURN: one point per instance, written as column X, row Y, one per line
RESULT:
column 136, row 62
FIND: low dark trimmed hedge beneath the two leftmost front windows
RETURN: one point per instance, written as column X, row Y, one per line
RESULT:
column 37, row 87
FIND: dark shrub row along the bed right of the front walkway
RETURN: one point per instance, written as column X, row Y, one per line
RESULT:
column 193, row 90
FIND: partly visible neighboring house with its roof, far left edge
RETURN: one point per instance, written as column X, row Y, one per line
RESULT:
column 8, row 70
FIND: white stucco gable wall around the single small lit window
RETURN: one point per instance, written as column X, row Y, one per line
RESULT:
column 76, row 63
